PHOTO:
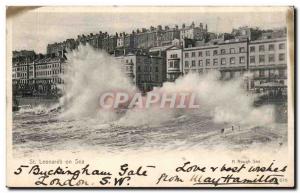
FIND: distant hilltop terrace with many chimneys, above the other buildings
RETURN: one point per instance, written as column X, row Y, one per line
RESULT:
column 124, row 43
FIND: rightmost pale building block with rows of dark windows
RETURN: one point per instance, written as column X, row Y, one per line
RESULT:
column 268, row 62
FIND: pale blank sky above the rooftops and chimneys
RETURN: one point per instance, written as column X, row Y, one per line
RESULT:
column 34, row 29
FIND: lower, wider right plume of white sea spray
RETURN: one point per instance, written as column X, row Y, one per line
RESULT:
column 226, row 101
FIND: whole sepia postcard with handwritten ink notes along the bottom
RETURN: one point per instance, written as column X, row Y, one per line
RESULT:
column 132, row 96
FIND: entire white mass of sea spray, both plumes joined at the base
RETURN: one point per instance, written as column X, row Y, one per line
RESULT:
column 89, row 73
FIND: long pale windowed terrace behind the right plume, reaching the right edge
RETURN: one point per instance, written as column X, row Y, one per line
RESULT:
column 264, row 59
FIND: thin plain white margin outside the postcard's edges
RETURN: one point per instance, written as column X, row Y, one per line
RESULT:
column 5, row 3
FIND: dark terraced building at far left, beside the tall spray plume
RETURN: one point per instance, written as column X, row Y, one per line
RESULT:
column 36, row 74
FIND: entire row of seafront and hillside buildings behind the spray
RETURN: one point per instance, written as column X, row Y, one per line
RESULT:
column 158, row 54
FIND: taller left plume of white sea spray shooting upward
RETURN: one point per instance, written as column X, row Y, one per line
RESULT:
column 88, row 73
